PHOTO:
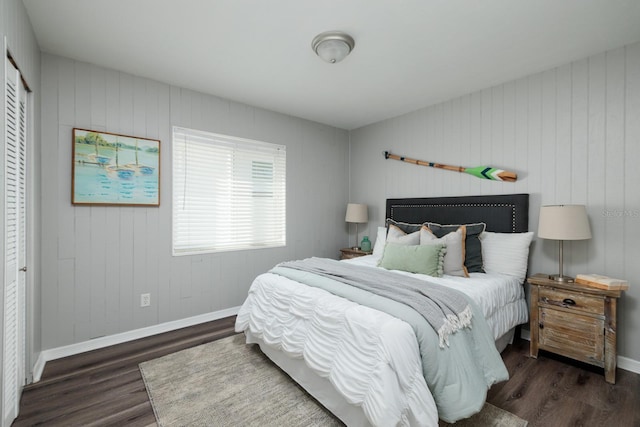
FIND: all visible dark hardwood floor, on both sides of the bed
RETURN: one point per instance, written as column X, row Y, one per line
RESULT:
column 104, row 387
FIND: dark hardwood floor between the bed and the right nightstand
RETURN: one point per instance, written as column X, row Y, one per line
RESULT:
column 557, row 392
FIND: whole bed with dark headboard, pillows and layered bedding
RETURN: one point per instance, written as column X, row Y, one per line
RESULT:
column 368, row 358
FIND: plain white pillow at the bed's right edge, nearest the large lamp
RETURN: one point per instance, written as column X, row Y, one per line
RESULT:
column 506, row 253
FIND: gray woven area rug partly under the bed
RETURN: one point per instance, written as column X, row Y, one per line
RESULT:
column 228, row 383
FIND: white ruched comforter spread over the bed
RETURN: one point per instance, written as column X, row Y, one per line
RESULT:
column 370, row 358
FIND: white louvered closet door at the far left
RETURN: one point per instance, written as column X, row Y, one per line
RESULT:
column 15, row 243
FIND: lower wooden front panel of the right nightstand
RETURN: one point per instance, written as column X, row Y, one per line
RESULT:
column 572, row 335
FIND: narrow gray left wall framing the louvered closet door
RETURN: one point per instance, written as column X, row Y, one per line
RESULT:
column 21, row 44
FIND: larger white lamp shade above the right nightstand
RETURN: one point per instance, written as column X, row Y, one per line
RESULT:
column 564, row 222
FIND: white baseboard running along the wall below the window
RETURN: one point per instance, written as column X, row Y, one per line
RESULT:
column 97, row 343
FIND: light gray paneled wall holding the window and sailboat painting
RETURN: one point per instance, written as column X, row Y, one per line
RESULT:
column 96, row 261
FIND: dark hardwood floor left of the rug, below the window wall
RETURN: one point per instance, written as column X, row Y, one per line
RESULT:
column 104, row 387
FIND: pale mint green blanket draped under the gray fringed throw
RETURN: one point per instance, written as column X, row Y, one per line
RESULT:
column 459, row 375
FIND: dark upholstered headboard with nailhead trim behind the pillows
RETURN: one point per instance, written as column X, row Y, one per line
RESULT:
column 506, row 213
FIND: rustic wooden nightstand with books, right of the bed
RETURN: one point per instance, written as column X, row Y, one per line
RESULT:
column 575, row 321
